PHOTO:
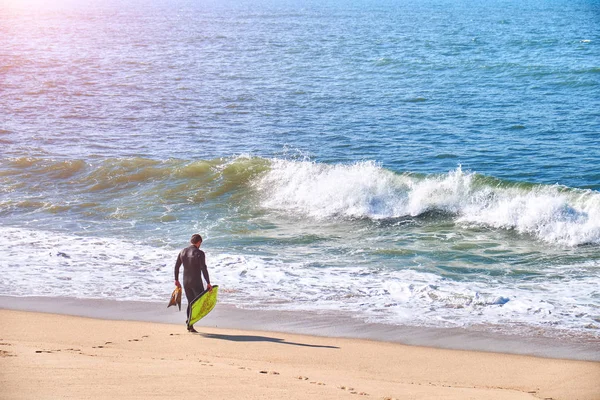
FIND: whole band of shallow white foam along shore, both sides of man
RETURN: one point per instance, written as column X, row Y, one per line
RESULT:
column 37, row 263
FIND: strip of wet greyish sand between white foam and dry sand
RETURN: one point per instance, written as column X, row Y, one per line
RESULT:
column 313, row 324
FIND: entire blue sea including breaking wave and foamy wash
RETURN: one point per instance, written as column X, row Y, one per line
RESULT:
column 432, row 163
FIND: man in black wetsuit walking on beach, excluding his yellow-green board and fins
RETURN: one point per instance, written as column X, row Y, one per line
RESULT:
column 194, row 266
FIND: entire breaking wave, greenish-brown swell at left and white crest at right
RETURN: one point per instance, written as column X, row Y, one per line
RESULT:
column 306, row 189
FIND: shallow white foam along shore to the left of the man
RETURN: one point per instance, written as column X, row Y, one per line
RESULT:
column 38, row 263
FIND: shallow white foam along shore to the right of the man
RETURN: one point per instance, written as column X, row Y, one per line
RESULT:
column 413, row 297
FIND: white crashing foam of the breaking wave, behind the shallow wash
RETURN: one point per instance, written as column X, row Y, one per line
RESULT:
column 366, row 190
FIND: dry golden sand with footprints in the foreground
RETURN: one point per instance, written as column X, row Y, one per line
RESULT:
column 49, row 356
